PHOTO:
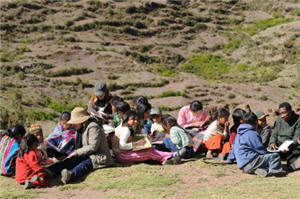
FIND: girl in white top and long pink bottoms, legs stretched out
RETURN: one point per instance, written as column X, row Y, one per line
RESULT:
column 124, row 146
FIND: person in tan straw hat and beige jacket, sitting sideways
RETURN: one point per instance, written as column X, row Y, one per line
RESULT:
column 91, row 149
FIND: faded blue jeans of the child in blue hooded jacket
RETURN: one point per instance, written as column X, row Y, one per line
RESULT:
column 268, row 162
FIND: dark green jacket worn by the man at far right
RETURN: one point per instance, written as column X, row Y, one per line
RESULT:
column 283, row 130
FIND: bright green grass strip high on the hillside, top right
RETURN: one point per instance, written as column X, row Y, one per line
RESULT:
column 266, row 23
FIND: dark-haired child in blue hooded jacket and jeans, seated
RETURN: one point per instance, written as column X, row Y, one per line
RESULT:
column 250, row 154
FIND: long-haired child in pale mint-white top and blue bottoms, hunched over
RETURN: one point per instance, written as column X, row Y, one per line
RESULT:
column 177, row 140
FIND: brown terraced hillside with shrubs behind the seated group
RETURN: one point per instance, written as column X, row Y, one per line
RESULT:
column 220, row 52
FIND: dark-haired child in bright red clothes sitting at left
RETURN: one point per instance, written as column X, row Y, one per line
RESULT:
column 28, row 170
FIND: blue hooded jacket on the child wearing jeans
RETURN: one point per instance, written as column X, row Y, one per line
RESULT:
column 247, row 146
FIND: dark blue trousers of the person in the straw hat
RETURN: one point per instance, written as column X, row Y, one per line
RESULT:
column 78, row 166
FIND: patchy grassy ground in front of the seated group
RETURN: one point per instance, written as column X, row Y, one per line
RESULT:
column 192, row 179
